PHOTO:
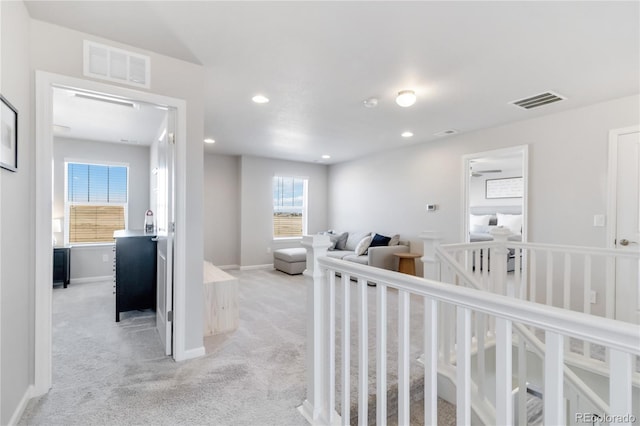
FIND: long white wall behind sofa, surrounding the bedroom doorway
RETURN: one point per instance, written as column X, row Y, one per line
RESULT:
column 388, row 192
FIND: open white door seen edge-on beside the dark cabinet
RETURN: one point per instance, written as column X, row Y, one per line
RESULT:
column 165, row 233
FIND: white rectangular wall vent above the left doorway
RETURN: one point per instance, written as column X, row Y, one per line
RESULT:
column 117, row 65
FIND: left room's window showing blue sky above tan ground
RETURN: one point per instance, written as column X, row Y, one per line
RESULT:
column 96, row 202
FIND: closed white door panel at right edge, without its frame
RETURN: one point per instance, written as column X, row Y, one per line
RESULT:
column 627, row 220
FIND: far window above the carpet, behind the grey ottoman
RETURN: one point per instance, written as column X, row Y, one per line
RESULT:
column 289, row 207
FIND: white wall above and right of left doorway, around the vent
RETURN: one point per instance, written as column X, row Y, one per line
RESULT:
column 59, row 50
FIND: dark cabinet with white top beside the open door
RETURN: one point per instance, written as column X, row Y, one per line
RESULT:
column 135, row 271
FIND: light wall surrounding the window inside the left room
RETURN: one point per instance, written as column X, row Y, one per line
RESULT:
column 87, row 262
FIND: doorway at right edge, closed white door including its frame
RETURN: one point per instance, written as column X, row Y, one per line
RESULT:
column 624, row 219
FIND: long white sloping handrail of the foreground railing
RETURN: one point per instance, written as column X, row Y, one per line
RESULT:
column 608, row 332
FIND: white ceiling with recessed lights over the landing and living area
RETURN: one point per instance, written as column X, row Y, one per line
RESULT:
column 318, row 61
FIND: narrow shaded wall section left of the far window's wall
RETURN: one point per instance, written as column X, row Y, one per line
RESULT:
column 222, row 210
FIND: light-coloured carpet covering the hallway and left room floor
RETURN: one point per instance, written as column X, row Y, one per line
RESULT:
column 115, row 373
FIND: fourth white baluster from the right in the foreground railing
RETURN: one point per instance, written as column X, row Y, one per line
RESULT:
column 463, row 367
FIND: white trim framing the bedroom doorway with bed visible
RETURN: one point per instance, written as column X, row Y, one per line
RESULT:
column 466, row 160
